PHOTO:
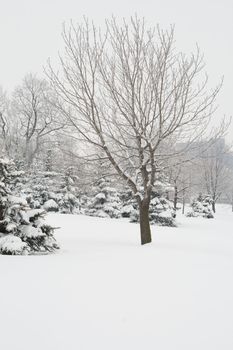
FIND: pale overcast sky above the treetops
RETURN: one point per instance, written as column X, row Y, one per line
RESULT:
column 30, row 33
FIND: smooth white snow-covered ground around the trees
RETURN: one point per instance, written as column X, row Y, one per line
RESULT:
column 103, row 291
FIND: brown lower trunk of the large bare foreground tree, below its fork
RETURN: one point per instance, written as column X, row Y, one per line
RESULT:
column 144, row 222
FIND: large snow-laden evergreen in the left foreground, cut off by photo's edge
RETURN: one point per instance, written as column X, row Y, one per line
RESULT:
column 22, row 230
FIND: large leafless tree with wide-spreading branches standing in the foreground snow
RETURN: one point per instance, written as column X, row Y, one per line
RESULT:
column 126, row 91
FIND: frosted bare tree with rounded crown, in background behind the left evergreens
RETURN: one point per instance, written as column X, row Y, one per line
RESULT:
column 34, row 110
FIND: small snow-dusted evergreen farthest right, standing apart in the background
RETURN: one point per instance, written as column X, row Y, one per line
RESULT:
column 201, row 206
